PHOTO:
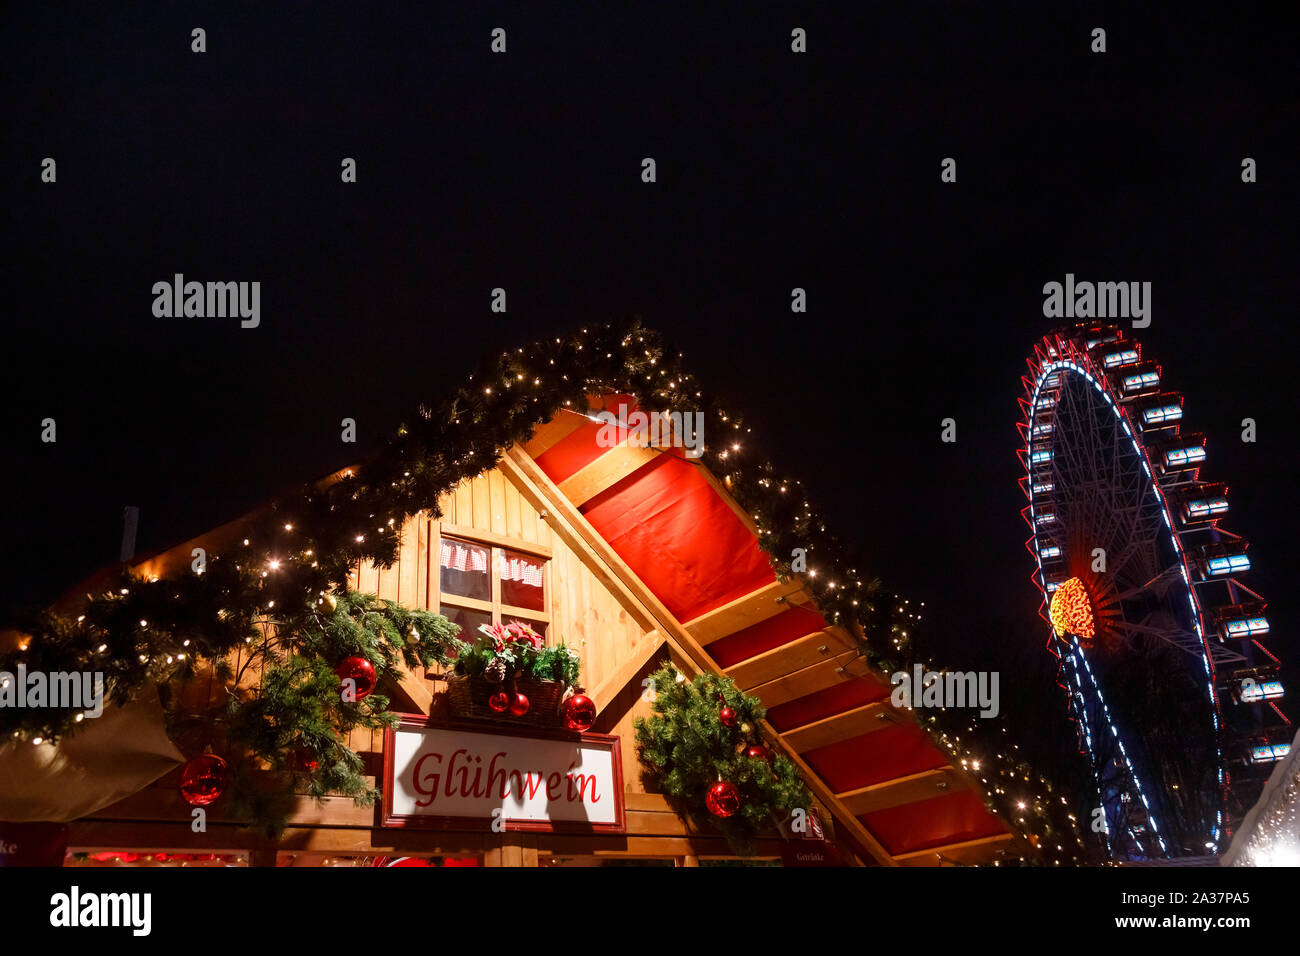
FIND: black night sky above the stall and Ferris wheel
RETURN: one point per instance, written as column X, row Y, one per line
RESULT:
column 523, row 171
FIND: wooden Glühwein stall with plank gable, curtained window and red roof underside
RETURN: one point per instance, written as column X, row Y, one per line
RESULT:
column 636, row 556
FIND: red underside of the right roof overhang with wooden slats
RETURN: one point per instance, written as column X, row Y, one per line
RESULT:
column 674, row 530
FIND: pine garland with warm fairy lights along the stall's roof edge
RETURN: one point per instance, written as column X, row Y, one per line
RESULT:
column 305, row 546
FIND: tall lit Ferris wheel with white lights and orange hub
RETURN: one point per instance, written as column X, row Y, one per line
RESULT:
column 1162, row 646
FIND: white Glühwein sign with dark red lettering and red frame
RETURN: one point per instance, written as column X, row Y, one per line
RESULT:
column 470, row 777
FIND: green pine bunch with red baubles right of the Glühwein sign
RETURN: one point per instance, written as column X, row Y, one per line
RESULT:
column 687, row 749
